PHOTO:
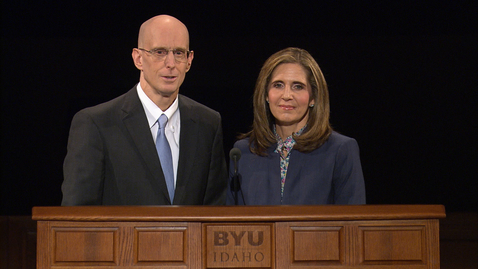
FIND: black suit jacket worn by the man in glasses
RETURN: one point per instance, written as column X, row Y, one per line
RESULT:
column 112, row 158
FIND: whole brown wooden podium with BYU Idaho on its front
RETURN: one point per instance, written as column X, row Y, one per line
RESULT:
column 309, row 237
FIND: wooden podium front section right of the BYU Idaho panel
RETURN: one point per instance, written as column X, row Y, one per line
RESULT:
column 407, row 244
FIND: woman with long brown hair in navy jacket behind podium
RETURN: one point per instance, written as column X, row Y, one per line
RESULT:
column 292, row 155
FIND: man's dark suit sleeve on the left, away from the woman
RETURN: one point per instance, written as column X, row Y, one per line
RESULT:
column 83, row 167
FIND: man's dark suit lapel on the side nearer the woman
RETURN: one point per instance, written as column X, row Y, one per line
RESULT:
column 187, row 140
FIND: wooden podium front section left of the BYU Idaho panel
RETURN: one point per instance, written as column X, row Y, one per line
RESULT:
column 119, row 245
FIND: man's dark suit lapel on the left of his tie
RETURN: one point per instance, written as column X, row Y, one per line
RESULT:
column 134, row 119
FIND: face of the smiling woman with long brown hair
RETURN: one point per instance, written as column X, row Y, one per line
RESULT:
column 289, row 95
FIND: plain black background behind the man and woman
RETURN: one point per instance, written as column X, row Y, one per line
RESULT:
column 402, row 78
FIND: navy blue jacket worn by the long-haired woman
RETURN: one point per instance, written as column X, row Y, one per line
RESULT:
column 331, row 174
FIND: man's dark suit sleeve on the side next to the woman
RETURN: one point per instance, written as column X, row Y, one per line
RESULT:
column 217, row 178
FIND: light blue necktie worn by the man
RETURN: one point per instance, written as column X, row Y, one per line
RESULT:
column 165, row 157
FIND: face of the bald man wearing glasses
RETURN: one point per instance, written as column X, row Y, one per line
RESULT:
column 164, row 76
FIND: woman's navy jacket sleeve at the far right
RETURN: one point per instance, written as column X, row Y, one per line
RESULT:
column 349, row 186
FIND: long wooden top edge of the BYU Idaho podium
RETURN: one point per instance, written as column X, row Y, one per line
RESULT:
column 238, row 213
